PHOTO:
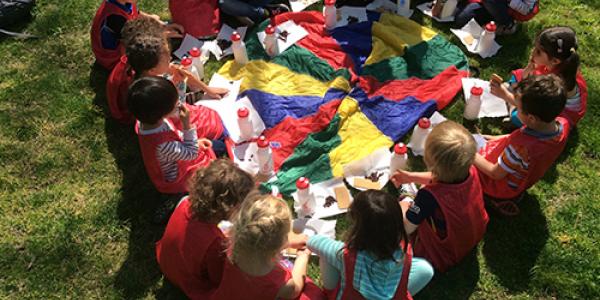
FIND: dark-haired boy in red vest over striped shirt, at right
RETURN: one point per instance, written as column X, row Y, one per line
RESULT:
column 508, row 165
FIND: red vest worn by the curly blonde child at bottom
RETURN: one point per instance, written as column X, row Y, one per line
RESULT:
column 236, row 284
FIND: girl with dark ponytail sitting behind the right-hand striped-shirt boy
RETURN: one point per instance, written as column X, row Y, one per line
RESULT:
column 555, row 52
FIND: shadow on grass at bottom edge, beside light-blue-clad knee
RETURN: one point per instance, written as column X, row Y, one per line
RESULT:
column 458, row 282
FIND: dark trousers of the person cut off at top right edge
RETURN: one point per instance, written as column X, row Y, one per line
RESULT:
column 484, row 12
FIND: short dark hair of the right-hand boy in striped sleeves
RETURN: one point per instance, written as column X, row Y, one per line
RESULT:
column 543, row 96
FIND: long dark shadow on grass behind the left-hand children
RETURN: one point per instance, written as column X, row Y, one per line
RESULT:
column 139, row 272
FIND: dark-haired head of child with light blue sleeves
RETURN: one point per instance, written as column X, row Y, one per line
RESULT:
column 377, row 224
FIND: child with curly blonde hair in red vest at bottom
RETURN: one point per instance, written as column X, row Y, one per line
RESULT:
column 255, row 269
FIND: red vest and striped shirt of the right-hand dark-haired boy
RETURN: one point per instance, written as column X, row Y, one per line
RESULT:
column 525, row 155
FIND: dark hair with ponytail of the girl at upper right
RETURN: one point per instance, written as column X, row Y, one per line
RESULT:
column 561, row 43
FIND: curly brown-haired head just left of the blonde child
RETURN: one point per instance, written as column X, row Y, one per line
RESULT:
column 217, row 190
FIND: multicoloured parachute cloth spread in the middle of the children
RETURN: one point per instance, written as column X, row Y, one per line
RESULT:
column 333, row 99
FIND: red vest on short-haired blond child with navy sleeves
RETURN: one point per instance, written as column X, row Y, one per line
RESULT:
column 466, row 220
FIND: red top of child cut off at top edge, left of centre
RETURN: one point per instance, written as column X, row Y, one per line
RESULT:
column 200, row 18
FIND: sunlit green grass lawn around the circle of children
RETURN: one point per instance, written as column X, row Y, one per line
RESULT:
column 76, row 202
